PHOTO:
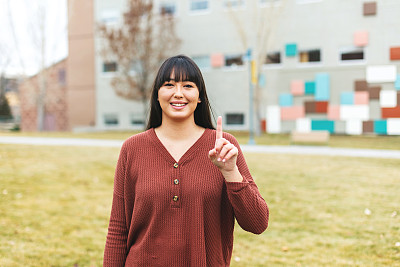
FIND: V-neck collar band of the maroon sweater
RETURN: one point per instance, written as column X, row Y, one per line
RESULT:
column 188, row 152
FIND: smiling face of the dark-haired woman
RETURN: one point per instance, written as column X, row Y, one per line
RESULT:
column 178, row 99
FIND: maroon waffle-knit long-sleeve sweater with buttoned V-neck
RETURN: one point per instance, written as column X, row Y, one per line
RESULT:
column 167, row 213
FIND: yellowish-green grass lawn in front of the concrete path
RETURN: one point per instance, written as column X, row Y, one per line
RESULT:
column 55, row 204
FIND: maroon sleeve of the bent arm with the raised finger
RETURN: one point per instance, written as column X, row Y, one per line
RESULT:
column 250, row 209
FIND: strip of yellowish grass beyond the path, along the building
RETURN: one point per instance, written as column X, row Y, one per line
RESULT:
column 363, row 141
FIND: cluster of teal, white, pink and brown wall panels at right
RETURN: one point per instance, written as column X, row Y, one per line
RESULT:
column 364, row 109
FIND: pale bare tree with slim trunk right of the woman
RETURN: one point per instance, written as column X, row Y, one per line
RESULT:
column 259, row 38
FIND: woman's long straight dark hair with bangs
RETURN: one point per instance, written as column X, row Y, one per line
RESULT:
column 184, row 69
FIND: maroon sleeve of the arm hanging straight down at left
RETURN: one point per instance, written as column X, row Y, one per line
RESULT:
column 116, row 245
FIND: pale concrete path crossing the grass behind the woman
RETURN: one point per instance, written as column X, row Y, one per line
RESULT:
column 300, row 150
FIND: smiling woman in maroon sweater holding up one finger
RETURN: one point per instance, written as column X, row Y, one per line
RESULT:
column 179, row 185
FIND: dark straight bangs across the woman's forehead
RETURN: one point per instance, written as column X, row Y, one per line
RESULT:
column 183, row 70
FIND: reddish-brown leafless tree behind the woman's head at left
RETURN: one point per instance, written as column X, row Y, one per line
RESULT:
column 143, row 40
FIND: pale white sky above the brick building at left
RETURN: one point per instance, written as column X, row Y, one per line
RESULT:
column 20, row 41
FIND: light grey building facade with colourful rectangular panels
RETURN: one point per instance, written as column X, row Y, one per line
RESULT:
column 322, row 64
